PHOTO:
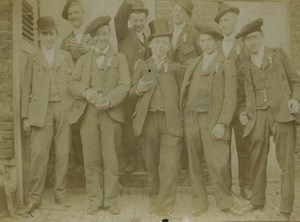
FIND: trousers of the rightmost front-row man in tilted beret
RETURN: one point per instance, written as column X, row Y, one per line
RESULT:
column 259, row 142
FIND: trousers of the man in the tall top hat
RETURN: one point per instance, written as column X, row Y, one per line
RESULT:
column 161, row 151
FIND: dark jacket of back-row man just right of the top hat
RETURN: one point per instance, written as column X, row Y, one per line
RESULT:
column 186, row 46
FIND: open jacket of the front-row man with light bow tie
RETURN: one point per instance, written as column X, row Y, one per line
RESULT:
column 116, row 83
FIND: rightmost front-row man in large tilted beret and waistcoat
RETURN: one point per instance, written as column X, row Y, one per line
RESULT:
column 269, row 107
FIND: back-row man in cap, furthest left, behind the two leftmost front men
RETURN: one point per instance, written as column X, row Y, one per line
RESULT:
column 77, row 43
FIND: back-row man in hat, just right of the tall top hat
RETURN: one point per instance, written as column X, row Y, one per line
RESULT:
column 184, row 34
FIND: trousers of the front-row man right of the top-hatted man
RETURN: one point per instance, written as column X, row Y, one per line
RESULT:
column 197, row 135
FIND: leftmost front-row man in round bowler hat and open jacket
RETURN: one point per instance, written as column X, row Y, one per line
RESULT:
column 45, row 109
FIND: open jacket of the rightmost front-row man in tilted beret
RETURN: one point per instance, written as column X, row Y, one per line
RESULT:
column 283, row 76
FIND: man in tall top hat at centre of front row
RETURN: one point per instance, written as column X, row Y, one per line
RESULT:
column 156, row 120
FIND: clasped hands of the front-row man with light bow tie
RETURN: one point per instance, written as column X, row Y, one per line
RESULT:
column 97, row 99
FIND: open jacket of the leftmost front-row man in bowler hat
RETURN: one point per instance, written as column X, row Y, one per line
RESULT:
column 36, row 87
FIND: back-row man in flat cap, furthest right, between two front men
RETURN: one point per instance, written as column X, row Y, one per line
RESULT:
column 234, row 49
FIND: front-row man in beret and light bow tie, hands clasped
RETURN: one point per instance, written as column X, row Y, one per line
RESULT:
column 101, row 82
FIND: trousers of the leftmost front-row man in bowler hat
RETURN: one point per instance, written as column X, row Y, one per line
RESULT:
column 57, row 126
